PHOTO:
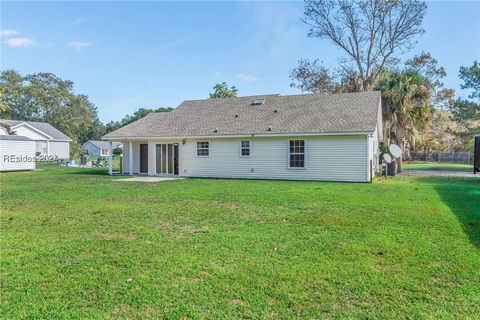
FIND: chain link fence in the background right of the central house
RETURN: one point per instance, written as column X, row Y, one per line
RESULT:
column 465, row 157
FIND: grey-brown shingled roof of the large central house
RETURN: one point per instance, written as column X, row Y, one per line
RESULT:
column 305, row 113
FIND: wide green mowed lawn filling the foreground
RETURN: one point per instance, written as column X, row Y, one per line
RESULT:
column 75, row 243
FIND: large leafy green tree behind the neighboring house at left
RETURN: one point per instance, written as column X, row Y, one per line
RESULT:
column 48, row 98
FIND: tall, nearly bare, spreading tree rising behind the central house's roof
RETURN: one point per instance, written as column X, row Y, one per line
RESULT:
column 371, row 33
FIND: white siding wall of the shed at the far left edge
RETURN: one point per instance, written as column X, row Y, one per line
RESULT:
column 21, row 149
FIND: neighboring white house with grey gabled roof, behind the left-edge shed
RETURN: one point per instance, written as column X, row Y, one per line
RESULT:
column 49, row 141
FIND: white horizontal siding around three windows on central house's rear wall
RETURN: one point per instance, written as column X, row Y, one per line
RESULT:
column 329, row 158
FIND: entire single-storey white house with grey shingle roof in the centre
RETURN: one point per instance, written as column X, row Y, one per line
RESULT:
column 298, row 137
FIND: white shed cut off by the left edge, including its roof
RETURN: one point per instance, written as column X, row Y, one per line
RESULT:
column 16, row 152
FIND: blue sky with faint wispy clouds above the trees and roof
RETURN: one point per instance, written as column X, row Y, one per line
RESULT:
column 126, row 55
